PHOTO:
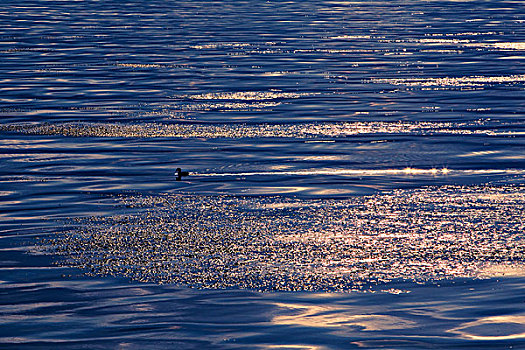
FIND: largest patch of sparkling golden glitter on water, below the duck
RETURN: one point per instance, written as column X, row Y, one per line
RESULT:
column 275, row 243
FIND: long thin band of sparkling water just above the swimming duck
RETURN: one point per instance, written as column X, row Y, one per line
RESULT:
column 298, row 130
